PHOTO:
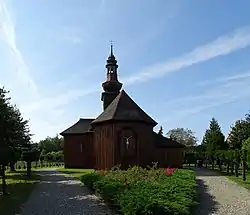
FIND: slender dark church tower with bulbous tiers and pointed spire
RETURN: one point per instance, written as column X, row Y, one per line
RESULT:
column 111, row 86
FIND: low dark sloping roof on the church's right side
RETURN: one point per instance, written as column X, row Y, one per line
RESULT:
column 165, row 142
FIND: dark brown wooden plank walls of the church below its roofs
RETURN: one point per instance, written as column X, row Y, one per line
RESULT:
column 104, row 148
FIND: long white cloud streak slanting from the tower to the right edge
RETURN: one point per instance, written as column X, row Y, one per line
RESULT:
column 223, row 45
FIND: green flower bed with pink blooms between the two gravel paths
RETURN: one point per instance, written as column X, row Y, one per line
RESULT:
column 139, row 191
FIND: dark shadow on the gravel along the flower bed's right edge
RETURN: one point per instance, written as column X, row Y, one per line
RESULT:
column 207, row 204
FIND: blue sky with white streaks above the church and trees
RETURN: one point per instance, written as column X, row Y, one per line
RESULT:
column 182, row 62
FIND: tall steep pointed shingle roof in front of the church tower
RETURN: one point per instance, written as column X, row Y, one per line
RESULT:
column 123, row 108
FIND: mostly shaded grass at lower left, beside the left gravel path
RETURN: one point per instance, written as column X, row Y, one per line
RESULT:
column 19, row 187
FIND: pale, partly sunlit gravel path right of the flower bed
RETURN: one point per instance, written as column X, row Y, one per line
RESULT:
column 220, row 196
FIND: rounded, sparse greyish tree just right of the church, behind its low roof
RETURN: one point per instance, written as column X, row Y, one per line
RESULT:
column 184, row 136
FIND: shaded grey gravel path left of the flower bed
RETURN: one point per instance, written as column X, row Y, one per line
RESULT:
column 59, row 194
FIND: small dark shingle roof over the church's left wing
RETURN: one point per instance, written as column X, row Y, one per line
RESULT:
column 80, row 127
